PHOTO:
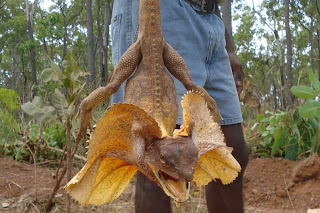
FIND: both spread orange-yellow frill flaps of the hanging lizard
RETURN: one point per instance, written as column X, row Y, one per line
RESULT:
column 109, row 167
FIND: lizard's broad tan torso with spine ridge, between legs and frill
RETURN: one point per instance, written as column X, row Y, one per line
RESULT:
column 154, row 93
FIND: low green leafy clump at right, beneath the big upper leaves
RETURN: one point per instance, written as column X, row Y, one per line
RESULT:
column 286, row 134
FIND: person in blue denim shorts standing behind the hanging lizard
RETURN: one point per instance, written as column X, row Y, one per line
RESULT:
column 197, row 33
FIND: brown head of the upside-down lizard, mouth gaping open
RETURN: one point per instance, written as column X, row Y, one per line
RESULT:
column 172, row 161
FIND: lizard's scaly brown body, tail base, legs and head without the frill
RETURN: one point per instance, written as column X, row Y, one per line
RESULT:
column 152, row 89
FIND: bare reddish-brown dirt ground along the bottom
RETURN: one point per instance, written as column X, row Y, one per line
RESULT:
column 270, row 185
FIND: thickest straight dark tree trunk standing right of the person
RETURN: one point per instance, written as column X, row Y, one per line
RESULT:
column 289, row 96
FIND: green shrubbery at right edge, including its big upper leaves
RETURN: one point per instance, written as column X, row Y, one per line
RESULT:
column 293, row 134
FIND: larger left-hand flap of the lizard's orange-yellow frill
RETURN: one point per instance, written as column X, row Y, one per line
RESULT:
column 110, row 165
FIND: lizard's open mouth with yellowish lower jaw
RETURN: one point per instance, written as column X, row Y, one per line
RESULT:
column 177, row 189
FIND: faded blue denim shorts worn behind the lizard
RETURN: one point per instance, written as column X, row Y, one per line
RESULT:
column 197, row 37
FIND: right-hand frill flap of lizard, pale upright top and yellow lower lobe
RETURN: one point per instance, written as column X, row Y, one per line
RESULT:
column 215, row 158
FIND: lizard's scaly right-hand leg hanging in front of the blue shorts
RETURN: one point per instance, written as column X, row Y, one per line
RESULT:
column 177, row 67
